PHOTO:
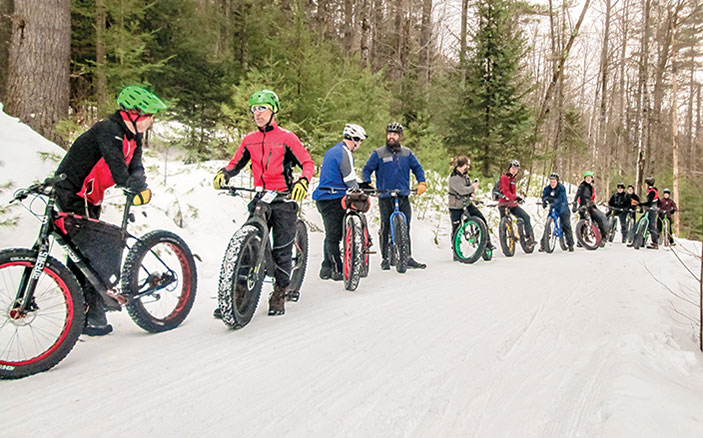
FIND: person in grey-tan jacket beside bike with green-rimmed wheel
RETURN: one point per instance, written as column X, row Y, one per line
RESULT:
column 461, row 191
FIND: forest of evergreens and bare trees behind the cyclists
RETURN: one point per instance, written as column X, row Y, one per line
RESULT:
column 612, row 86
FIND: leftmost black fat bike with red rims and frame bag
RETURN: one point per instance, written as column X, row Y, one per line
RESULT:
column 42, row 304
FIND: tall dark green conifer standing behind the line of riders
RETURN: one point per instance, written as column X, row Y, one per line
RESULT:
column 491, row 122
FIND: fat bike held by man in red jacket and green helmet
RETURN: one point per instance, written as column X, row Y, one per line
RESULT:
column 248, row 260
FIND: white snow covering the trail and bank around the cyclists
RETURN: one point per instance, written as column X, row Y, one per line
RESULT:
column 562, row 345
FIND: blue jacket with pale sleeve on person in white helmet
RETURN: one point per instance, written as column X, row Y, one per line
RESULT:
column 337, row 172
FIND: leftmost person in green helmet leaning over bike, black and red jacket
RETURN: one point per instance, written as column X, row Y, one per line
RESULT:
column 108, row 154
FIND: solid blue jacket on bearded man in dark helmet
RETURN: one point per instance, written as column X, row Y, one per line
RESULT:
column 393, row 169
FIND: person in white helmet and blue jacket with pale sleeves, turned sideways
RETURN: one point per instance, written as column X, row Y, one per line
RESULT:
column 337, row 172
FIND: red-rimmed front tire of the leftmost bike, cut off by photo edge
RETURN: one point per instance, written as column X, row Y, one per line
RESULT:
column 71, row 330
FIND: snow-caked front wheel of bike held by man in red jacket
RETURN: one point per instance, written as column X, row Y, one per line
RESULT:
column 241, row 277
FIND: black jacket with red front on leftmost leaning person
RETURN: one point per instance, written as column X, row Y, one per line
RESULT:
column 107, row 154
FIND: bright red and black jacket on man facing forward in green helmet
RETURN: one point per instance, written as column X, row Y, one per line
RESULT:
column 272, row 153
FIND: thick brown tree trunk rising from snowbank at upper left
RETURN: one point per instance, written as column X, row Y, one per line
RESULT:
column 37, row 86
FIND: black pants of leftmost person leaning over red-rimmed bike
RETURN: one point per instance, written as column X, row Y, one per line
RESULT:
column 70, row 203
